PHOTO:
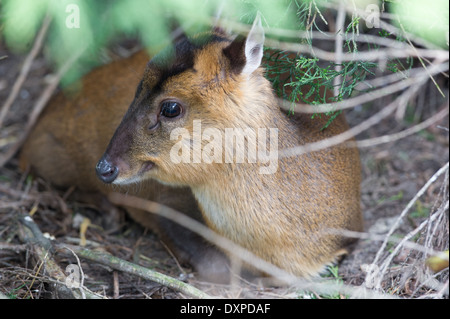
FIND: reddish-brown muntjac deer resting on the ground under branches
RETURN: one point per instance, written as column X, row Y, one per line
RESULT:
column 201, row 135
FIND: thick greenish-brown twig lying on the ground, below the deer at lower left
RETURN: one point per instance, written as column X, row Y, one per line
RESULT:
column 128, row 267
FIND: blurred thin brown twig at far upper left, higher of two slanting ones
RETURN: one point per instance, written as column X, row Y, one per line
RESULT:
column 25, row 69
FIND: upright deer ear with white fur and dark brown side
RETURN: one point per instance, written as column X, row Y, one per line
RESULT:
column 245, row 54
